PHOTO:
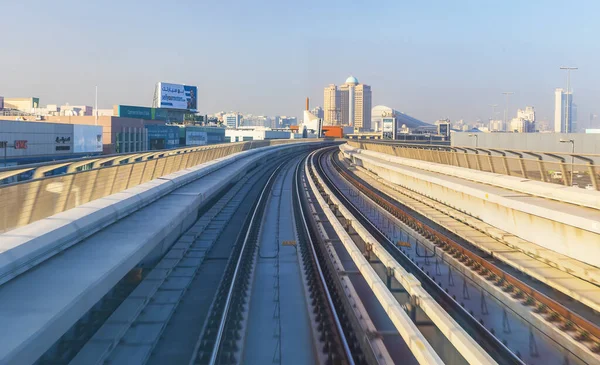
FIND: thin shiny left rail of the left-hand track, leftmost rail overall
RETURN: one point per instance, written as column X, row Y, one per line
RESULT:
column 251, row 227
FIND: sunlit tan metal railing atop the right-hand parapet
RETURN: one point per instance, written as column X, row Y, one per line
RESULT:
column 553, row 167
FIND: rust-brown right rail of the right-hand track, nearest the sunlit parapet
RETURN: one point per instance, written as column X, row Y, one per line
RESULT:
column 554, row 310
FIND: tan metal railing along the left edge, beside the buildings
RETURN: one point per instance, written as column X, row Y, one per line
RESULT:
column 42, row 196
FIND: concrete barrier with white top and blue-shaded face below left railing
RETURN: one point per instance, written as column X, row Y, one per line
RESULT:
column 27, row 246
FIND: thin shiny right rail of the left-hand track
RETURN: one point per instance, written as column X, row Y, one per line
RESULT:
column 324, row 286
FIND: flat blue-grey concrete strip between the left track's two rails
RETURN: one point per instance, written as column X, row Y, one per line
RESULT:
column 278, row 327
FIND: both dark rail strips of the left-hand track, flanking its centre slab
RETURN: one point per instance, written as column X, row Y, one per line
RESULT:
column 219, row 342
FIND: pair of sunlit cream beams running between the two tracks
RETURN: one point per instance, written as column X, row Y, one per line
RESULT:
column 421, row 312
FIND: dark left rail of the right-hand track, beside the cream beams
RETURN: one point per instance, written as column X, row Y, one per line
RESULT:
column 501, row 353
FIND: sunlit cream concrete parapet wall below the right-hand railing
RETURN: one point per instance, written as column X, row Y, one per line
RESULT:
column 556, row 226
